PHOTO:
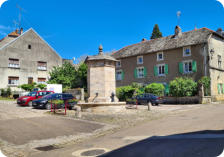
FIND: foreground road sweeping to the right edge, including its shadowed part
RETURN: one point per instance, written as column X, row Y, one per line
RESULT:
column 196, row 132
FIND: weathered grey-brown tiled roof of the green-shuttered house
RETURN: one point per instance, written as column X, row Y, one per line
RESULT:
column 194, row 37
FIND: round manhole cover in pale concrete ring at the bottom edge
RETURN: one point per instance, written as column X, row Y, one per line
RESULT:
column 90, row 152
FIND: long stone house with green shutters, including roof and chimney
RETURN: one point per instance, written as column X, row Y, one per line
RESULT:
column 195, row 53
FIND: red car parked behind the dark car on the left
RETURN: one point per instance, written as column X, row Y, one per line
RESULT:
column 27, row 100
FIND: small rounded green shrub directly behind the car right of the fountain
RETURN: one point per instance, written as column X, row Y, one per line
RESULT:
column 155, row 88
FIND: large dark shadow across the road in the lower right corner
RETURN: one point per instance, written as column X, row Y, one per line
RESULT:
column 207, row 143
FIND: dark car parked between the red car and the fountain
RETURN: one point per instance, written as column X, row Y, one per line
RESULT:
column 45, row 102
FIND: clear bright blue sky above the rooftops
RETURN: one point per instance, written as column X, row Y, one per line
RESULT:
column 77, row 27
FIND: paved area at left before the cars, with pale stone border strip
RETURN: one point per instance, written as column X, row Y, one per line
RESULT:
column 25, row 126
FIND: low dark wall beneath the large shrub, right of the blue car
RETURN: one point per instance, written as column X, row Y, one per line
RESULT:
column 181, row 100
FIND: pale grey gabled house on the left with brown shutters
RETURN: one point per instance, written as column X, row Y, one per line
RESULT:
column 25, row 57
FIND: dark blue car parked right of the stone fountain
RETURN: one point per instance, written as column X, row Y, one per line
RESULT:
column 148, row 98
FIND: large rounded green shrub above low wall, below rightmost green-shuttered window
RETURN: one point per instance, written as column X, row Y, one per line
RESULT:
column 183, row 86
